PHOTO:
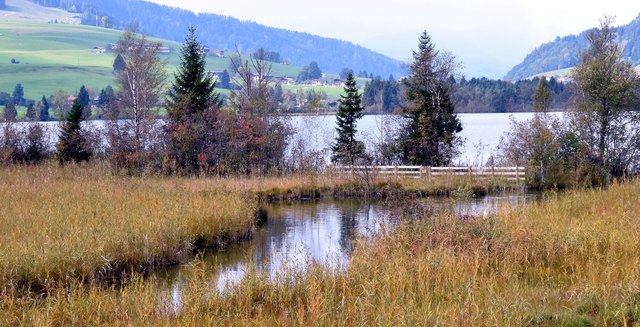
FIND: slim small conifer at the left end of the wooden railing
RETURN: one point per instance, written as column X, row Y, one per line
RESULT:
column 347, row 150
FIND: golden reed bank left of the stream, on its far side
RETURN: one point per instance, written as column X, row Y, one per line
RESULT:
column 65, row 224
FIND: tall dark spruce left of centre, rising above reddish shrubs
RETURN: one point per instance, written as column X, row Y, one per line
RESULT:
column 192, row 104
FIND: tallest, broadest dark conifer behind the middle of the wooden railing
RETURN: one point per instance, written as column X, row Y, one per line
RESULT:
column 430, row 136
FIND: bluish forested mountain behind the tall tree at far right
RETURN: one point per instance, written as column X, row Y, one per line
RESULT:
column 564, row 52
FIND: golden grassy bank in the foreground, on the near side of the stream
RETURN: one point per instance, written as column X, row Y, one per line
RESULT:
column 572, row 260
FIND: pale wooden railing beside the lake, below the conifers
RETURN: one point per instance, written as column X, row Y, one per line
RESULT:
column 515, row 173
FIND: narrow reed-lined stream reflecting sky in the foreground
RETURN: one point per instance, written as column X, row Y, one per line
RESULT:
column 300, row 234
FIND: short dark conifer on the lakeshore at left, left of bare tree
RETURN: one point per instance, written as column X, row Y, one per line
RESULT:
column 72, row 144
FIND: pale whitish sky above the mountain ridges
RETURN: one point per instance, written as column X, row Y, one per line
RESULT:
column 488, row 37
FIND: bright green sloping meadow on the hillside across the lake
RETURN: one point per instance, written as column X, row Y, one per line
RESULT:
column 59, row 56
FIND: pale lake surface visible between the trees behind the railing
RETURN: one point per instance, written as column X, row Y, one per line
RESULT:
column 481, row 132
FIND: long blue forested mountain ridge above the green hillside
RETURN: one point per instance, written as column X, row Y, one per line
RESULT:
column 225, row 33
